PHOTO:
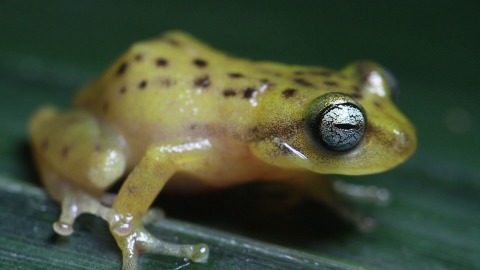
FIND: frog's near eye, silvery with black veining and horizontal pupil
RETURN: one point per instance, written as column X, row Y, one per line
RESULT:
column 337, row 122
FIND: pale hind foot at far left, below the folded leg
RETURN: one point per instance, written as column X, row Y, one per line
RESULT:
column 75, row 203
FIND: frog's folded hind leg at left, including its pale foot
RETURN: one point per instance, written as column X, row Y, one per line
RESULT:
column 78, row 157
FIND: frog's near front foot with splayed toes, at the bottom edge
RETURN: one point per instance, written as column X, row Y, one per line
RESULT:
column 139, row 241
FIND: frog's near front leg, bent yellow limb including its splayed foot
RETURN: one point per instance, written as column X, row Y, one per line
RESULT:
column 136, row 195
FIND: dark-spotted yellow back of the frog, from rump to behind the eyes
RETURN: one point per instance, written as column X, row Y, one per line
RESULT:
column 175, row 86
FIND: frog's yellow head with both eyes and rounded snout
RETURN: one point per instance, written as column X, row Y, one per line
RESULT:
column 343, row 131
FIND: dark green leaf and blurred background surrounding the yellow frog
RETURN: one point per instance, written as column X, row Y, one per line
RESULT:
column 50, row 48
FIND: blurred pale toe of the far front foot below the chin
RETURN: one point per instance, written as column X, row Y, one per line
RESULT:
column 372, row 194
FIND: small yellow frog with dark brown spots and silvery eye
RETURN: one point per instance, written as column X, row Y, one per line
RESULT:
column 174, row 110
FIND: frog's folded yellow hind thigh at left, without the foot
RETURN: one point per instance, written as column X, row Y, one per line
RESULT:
column 78, row 148
